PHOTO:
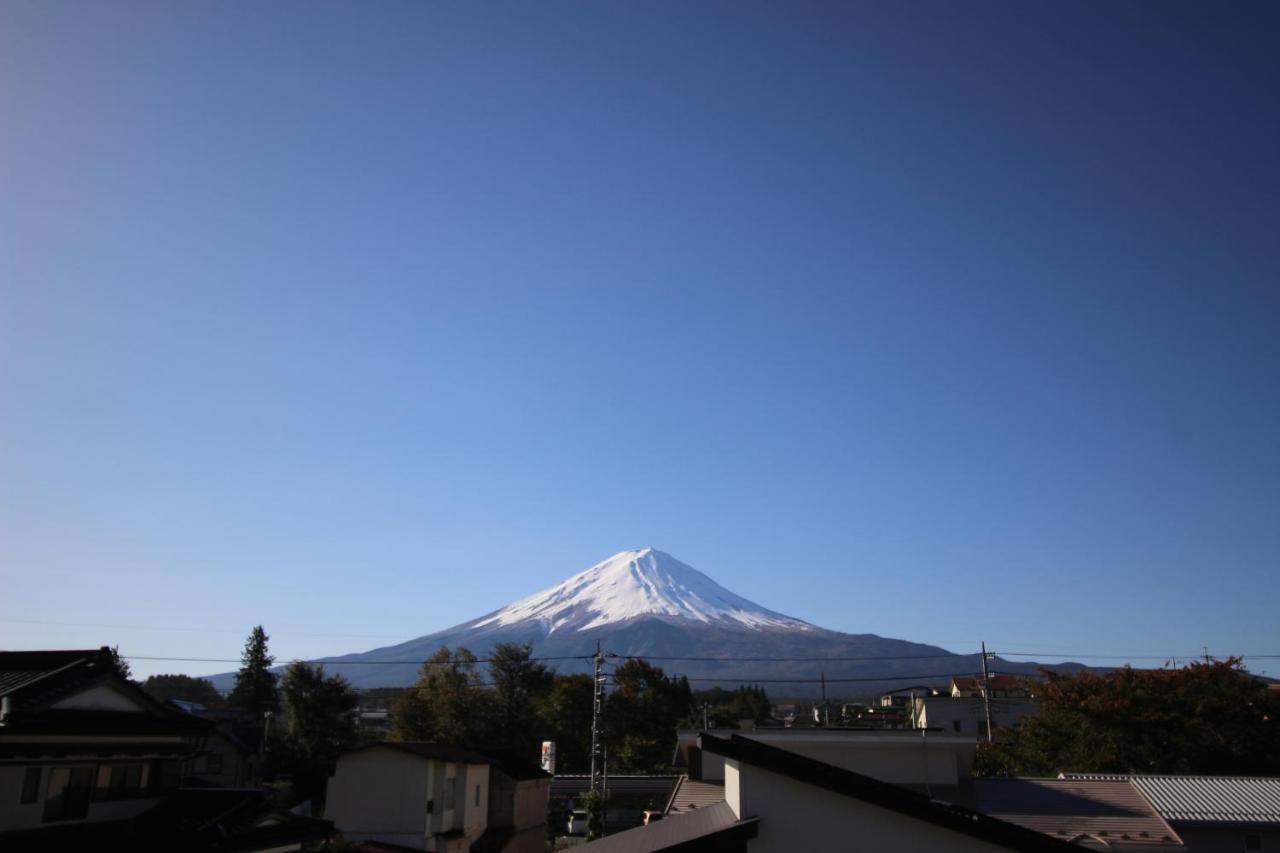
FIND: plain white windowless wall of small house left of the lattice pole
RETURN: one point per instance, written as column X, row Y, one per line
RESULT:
column 380, row 796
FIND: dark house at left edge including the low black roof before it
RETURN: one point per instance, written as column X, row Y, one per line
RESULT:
column 89, row 760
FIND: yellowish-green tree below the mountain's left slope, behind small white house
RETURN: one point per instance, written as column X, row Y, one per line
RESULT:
column 447, row 704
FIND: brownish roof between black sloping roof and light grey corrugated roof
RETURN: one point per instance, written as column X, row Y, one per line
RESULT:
column 1109, row 813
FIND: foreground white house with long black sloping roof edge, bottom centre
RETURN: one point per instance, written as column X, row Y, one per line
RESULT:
column 780, row 801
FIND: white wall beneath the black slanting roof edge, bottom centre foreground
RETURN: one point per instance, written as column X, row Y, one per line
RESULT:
column 796, row 816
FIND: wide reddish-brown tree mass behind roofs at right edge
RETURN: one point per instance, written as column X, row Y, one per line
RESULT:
column 1212, row 719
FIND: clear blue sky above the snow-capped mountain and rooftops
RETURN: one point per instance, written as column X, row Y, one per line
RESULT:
column 947, row 322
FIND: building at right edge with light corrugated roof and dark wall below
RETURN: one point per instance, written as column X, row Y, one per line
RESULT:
column 1212, row 814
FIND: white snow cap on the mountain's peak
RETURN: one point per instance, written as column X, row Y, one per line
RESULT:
column 638, row 583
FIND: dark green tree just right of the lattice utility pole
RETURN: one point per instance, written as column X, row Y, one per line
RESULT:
column 642, row 717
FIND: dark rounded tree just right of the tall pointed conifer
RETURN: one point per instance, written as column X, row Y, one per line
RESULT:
column 319, row 727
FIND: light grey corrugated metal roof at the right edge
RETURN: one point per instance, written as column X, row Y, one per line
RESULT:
column 1209, row 800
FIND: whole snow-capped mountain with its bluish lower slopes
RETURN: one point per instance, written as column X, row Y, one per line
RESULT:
column 647, row 604
